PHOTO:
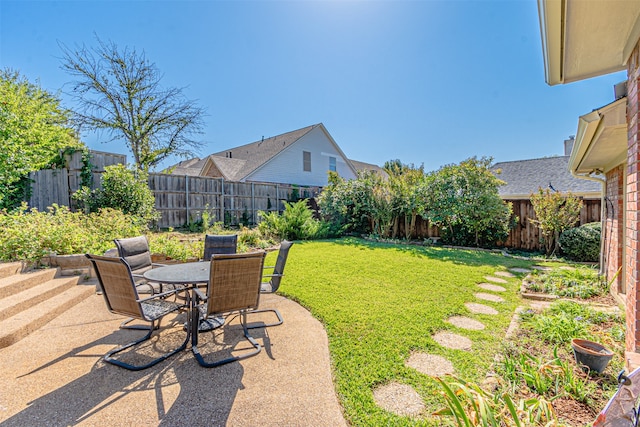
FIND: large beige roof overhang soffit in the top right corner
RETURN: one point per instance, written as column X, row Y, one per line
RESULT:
column 583, row 39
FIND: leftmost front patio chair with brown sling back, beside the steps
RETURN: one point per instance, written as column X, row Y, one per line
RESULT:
column 121, row 296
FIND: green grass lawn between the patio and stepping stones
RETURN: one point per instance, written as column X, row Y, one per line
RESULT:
column 380, row 302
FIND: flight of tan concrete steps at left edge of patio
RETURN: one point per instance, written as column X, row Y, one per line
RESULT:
column 30, row 300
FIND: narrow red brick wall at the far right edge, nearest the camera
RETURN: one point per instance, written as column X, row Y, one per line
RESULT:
column 632, row 232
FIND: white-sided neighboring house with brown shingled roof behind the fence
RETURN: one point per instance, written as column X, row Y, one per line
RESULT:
column 301, row 157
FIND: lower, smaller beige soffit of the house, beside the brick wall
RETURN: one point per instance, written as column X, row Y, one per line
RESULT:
column 601, row 140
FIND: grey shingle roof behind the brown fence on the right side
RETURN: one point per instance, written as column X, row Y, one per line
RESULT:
column 524, row 177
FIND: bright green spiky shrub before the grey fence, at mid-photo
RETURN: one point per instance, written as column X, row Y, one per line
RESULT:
column 295, row 223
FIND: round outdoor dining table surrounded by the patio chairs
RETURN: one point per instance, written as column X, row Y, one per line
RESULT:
column 189, row 275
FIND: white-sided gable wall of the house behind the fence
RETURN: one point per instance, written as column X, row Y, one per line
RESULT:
column 287, row 167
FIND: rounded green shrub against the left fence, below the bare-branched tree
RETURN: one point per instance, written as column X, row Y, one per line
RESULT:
column 123, row 189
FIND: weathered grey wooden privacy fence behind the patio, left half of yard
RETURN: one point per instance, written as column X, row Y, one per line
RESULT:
column 180, row 199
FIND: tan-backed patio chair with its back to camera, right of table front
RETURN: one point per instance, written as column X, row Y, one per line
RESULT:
column 234, row 286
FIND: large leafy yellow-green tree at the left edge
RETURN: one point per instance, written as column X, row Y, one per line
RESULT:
column 34, row 128
